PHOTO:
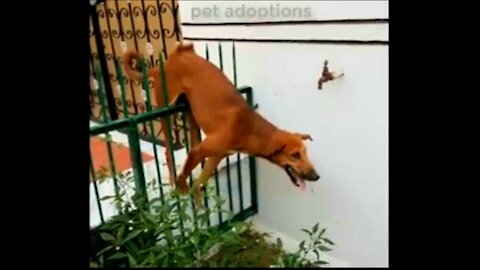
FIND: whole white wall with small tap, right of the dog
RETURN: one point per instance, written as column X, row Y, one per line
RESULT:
column 348, row 121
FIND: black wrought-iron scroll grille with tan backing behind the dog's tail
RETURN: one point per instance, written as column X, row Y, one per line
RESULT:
column 149, row 26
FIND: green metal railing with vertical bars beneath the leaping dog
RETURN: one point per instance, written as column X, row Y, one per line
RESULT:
column 129, row 127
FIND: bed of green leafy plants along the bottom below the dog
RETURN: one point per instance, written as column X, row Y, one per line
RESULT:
column 166, row 233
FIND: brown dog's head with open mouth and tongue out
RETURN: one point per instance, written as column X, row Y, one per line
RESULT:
column 290, row 153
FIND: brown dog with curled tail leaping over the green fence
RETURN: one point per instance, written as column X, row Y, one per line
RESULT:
column 229, row 123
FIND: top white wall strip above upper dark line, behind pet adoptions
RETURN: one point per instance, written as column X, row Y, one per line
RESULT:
column 218, row 11
